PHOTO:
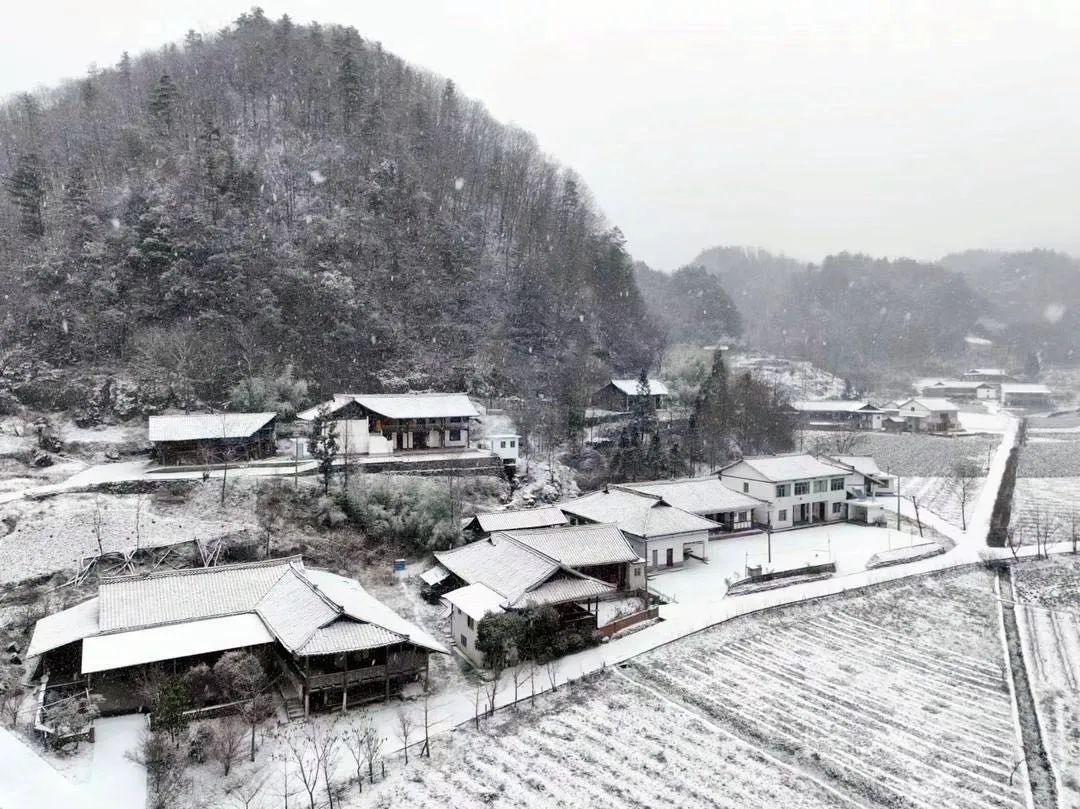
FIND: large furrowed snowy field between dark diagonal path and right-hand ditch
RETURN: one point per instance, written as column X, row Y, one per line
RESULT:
column 899, row 698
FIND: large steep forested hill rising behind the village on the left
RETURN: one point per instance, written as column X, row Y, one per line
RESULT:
column 279, row 195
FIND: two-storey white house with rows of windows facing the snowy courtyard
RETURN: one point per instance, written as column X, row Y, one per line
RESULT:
column 800, row 490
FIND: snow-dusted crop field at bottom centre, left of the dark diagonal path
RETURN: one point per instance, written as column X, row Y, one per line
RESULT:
column 601, row 744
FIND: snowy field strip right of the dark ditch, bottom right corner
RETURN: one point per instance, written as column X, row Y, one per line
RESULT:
column 1050, row 627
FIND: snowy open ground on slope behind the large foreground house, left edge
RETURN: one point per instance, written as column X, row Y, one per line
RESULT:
column 52, row 534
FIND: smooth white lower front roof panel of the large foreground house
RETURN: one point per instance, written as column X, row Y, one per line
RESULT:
column 154, row 644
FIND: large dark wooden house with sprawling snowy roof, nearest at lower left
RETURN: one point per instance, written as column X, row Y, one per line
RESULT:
column 330, row 641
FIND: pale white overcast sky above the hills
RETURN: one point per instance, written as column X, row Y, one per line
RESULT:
column 895, row 128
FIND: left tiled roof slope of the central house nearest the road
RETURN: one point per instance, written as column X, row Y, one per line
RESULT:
column 502, row 564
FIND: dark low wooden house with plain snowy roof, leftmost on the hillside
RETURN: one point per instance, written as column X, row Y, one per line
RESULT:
column 217, row 438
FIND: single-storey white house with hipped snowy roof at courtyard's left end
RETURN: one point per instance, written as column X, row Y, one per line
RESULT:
column 660, row 533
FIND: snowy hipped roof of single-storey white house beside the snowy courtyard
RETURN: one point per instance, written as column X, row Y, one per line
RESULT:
column 637, row 514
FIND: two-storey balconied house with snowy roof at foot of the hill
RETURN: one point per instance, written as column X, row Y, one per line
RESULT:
column 386, row 424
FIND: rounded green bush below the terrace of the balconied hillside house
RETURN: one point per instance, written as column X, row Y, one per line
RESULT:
column 412, row 514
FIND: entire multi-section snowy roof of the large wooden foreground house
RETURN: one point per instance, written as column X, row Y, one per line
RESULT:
column 182, row 613
